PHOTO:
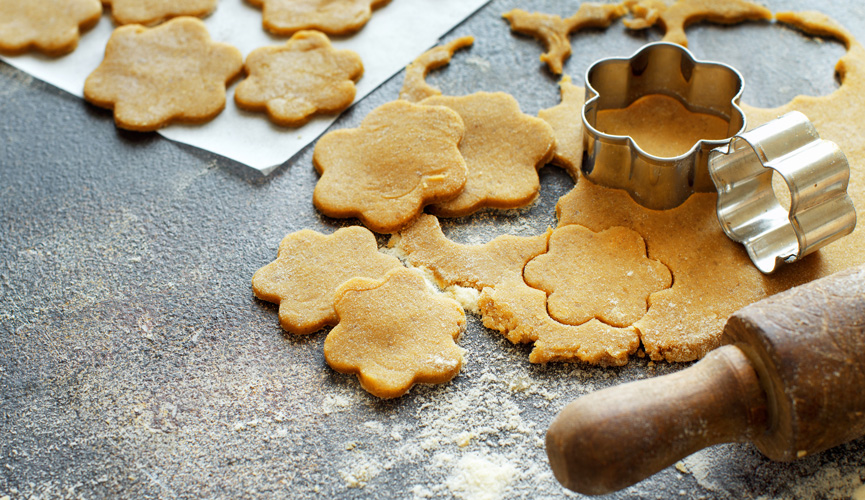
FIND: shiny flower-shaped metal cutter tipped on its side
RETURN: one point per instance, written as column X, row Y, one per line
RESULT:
column 816, row 173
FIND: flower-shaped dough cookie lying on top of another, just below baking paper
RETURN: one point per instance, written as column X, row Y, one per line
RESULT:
column 402, row 157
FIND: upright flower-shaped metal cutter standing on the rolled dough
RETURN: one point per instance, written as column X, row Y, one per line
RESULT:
column 657, row 68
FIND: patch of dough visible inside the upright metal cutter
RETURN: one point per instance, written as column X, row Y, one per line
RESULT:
column 661, row 125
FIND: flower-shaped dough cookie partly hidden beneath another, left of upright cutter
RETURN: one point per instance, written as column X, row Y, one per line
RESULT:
column 503, row 149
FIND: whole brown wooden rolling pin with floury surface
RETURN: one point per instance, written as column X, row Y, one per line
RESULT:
column 791, row 379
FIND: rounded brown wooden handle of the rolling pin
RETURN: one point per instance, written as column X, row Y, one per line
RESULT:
column 615, row 437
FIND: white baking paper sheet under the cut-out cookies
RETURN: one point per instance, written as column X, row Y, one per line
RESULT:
column 396, row 34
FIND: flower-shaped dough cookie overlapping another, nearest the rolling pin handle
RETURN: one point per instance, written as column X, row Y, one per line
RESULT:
column 395, row 333
